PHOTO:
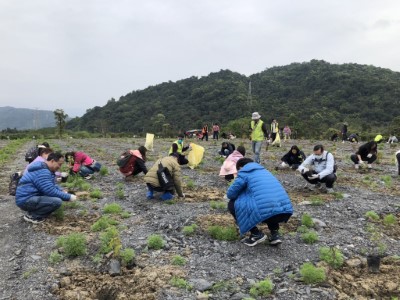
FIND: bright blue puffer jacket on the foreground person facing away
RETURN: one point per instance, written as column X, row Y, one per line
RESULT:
column 259, row 196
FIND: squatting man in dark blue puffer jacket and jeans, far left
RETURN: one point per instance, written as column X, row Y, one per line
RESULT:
column 37, row 191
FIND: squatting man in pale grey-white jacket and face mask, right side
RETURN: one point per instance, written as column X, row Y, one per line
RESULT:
column 323, row 164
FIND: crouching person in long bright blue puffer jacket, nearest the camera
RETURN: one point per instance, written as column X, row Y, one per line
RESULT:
column 257, row 196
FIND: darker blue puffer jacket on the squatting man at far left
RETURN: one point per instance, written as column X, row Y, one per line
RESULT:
column 38, row 181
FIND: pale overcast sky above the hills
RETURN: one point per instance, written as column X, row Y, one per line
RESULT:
column 77, row 54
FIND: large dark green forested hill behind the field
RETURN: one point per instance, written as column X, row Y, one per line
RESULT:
column 308, row 96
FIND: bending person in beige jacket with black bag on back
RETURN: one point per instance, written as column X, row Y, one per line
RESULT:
column 153, row 184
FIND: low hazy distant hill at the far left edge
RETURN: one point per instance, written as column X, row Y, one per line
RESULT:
column 25, row 118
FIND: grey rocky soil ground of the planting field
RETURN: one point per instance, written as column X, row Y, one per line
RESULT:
column 214, row 269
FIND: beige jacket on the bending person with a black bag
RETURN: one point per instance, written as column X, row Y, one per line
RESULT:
column 171, row 163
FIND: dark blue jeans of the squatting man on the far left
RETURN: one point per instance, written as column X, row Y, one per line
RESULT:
column 40, row 207
